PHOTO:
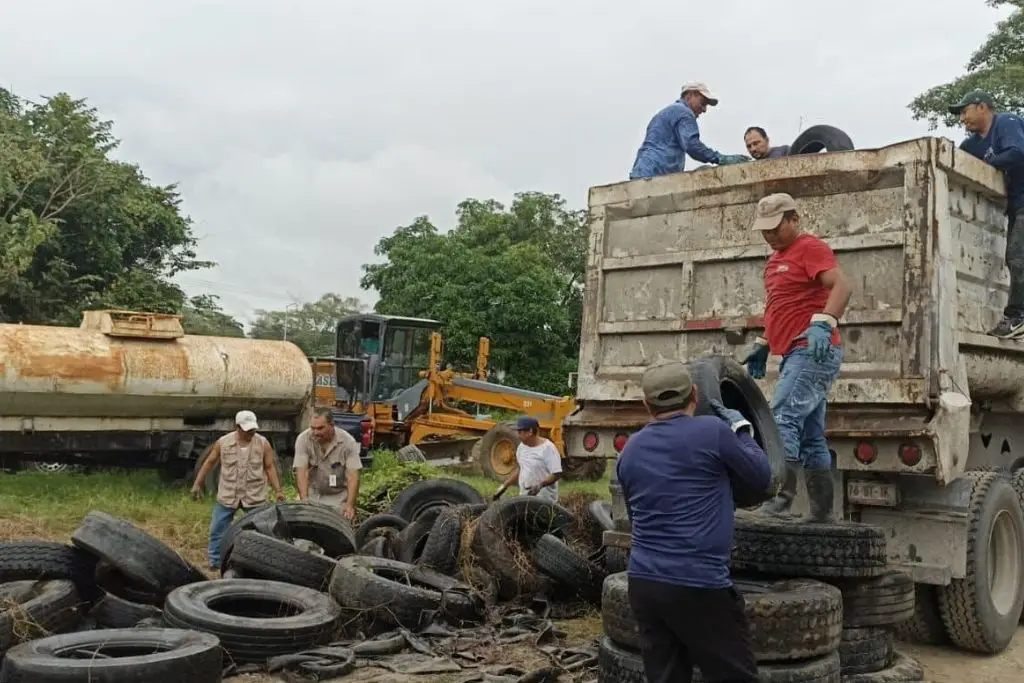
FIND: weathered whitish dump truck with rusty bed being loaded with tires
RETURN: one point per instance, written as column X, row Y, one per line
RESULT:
column 927, row 405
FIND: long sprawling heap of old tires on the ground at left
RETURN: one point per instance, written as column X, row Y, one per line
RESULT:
column 117, row 605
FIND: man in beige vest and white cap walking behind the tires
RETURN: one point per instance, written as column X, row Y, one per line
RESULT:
column 247, row 464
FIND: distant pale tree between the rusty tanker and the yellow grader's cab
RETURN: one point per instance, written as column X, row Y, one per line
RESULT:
column 310, row 326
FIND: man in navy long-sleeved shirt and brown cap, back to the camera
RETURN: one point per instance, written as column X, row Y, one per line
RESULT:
column 677, row 477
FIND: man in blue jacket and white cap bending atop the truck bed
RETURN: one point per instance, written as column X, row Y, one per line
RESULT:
column 673, row 134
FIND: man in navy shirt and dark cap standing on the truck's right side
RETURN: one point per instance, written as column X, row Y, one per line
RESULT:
column 999, row 140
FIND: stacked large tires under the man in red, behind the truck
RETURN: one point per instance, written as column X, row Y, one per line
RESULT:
column 822, row 605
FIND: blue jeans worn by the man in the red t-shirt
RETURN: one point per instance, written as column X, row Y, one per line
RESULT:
column 799, row 406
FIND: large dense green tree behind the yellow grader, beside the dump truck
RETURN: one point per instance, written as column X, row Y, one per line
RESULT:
column 515, row 275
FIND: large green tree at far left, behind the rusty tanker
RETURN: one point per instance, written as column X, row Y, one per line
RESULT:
column 79, row 230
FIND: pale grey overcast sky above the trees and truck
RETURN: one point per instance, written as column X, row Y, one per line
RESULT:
column 302, row 133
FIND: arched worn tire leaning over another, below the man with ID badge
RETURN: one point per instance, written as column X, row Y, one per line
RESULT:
column 321, row 525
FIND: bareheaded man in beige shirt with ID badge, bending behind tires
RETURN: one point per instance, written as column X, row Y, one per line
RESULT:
column 327, row 464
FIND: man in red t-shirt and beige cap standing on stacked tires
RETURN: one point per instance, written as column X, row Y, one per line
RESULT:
column 806, row 294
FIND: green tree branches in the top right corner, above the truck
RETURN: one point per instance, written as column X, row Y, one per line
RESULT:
column 997, row 67
